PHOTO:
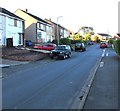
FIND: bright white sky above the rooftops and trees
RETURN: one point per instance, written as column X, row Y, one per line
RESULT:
column 102, row 15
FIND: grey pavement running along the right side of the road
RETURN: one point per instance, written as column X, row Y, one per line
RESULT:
column 104, row 90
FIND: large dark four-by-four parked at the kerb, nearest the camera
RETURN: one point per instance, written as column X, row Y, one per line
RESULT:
column 61, row 52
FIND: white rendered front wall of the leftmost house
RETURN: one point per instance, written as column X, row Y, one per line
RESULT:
column 9, row 31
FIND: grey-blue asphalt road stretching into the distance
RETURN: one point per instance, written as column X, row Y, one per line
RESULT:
column 50, row 84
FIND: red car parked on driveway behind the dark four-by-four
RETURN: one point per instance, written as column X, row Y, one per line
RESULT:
column 48, row 47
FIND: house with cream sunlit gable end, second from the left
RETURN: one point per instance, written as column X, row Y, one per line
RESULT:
column 36, row 29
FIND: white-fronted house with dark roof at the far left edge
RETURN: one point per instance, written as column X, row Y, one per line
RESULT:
column 11, row 29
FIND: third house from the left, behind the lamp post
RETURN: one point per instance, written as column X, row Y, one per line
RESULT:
column 62, row 31
